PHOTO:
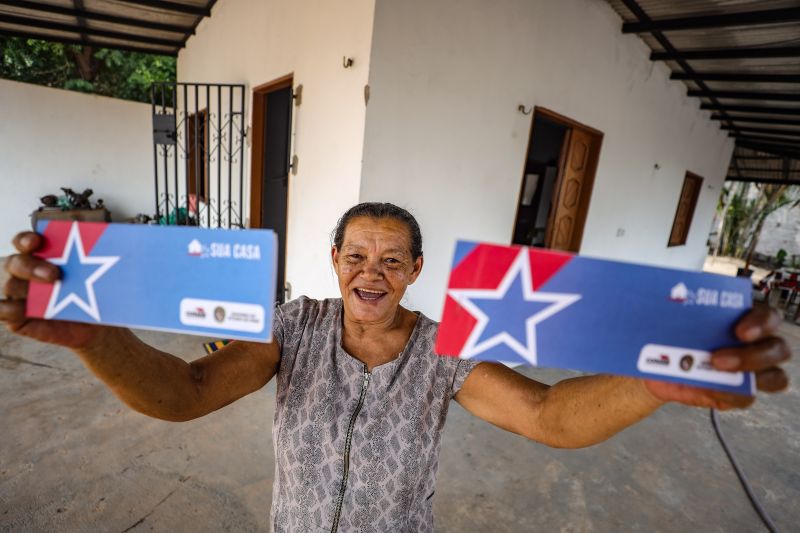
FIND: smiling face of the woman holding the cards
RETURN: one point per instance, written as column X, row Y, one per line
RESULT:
column 374, row 267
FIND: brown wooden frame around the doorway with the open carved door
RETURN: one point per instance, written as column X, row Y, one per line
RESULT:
column 591, row 171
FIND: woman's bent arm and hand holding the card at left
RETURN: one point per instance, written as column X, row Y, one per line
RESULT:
column 148, row 380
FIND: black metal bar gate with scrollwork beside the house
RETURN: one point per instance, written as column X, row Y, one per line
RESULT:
column 198, row 153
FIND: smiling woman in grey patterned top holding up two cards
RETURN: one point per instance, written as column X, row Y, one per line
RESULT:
column 361, row 397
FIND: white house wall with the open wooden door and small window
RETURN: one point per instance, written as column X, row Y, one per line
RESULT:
column 444, row 137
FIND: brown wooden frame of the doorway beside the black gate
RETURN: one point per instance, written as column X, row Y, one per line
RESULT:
column 257, row 145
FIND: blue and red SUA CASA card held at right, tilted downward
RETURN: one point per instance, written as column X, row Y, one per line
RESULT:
column 537, row 307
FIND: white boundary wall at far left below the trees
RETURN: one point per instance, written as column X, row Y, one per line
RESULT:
column 52, row 138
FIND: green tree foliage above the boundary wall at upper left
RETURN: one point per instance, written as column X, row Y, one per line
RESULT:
column 102, row 71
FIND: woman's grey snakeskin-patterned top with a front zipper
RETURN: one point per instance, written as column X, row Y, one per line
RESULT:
column 356, row 450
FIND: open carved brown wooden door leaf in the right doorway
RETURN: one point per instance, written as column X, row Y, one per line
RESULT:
column 565, row 228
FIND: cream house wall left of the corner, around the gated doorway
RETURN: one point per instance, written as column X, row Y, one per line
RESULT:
column 257, row 41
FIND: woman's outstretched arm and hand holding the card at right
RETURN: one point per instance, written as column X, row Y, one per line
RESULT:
column 583, row 411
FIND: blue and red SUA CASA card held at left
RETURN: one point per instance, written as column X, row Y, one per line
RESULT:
column 175, row 278
